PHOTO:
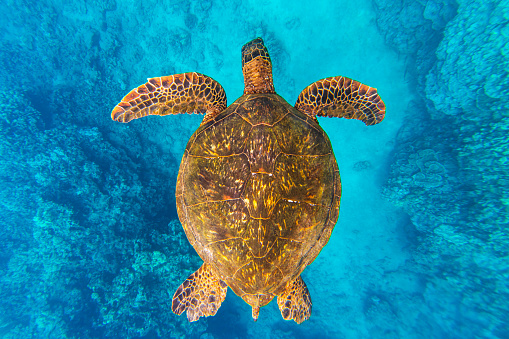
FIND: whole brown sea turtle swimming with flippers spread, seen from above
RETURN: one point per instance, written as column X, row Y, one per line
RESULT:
column 258, row 188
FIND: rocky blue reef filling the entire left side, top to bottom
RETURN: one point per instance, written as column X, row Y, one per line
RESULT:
column 85, row 224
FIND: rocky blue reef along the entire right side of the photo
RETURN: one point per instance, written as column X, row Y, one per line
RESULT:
column 450, row 165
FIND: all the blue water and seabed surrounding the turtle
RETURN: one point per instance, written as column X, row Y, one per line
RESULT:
column 90, row 242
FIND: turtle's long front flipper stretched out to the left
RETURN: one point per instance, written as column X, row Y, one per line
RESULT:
column 173, row 94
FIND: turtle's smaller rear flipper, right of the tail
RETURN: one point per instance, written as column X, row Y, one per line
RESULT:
column 295, row 302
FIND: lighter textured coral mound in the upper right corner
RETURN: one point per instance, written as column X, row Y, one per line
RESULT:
column 471, row 76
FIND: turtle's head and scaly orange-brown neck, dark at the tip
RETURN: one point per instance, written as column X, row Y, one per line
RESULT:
column 257, row 68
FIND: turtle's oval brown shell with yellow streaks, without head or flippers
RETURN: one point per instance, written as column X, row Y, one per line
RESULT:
column 258, row 194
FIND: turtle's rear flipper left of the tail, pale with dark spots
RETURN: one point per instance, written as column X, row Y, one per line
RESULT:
column 200, row 295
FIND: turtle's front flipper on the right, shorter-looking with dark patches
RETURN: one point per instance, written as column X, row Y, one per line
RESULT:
column 342, row 97
